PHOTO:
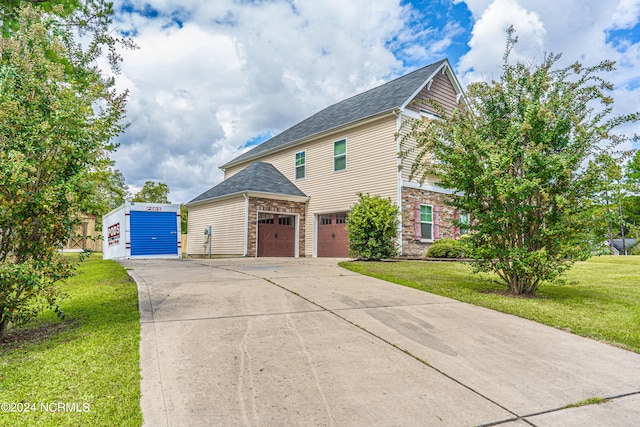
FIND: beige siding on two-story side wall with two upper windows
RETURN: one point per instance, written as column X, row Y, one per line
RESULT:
column 371, row 168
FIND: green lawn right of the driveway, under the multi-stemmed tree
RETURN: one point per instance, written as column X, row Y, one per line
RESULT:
column 599, row 298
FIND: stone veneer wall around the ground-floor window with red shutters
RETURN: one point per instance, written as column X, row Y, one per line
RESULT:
column 411, row 196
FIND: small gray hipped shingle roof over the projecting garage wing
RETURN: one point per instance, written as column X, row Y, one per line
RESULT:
column 258, row 177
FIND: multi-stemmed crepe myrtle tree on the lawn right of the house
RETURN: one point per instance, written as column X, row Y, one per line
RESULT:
column 519, row 157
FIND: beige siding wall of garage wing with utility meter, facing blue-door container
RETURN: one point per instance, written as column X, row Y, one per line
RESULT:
column 227, row 221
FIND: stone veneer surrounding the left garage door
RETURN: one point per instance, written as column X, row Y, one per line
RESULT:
column 278, row 206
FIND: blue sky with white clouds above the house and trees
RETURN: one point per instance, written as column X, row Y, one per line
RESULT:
column 212, row 78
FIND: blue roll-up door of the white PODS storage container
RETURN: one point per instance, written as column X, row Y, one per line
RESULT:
column 153, row 233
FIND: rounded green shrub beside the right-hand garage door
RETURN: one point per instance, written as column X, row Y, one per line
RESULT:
column 372, row 228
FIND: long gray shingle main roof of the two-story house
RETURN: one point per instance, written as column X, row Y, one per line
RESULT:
column 387, row 97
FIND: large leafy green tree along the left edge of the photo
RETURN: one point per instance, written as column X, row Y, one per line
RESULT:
column 58, row 115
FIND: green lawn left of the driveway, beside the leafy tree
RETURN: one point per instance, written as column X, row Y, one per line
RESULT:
column 83, row 370
